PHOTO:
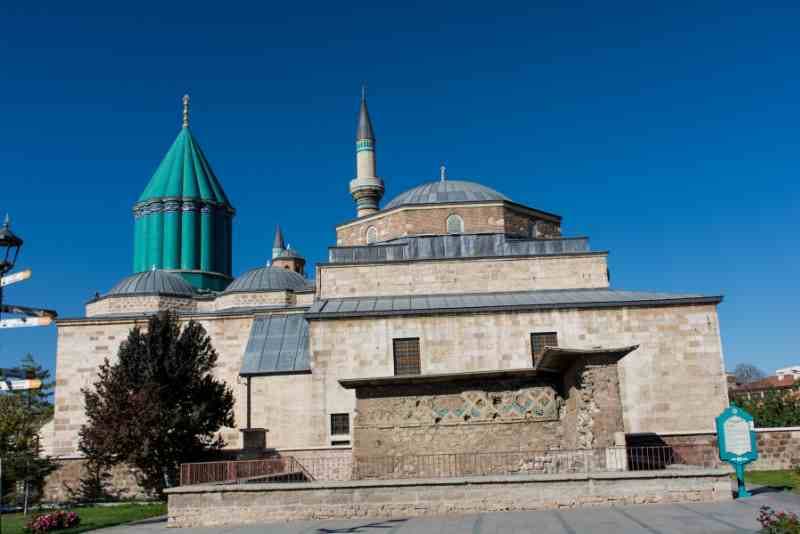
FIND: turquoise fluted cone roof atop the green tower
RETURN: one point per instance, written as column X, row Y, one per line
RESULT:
column 185, row 173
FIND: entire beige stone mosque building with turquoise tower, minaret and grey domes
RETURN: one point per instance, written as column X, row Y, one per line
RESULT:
column 450, row 319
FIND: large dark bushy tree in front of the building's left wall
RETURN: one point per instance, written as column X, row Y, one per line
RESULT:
column 159, row 405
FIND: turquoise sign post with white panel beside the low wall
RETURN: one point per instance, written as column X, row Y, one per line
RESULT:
column 737, row 442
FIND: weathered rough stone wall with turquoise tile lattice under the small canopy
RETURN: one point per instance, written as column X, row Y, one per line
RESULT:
column 501, row 416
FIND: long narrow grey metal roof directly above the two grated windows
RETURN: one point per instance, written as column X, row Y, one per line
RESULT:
column 467, row 303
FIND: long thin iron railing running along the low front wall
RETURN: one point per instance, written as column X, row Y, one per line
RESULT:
column 555, row 461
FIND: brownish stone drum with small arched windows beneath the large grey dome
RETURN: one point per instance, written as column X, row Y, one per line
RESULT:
column 426, row 220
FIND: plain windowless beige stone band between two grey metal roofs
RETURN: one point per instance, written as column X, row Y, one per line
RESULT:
column 464, row 276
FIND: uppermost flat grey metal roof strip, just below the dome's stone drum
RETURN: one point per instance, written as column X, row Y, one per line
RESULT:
column 456, row 246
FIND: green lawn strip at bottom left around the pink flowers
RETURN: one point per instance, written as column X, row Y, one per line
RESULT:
column 92, row 517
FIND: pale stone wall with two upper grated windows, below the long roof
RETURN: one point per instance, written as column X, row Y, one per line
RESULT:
column 674, row 381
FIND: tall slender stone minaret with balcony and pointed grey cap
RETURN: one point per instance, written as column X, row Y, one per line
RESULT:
column 366, row 188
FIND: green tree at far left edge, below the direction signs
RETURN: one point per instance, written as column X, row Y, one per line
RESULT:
column 22, row 414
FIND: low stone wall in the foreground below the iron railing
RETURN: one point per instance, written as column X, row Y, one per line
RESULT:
column 203, row 506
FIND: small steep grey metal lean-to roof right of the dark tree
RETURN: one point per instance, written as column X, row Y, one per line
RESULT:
column 277, row 344
